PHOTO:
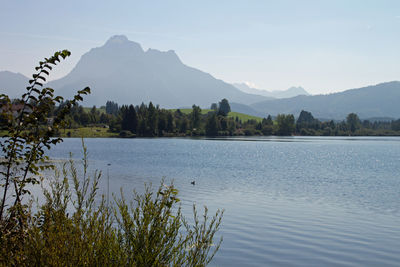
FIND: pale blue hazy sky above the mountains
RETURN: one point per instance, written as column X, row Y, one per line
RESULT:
column 323, row 46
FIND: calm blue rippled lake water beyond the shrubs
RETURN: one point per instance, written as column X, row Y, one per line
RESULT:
column 292, row 201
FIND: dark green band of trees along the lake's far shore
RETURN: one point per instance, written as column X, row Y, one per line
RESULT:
column 152, row 121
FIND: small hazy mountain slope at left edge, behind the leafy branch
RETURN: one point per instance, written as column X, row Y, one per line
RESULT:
column 13, row 84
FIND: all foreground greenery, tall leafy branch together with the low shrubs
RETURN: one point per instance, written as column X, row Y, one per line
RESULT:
column 73, row 228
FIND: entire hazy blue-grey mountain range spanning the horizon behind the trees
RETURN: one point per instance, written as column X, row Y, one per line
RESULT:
column 121, row 71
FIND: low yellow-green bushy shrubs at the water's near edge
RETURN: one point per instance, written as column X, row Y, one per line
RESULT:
column 70, row 228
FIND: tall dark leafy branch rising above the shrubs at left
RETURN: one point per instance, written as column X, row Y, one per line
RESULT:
column 29, row 129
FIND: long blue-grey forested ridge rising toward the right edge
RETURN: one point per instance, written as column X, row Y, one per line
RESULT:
column 381, row 100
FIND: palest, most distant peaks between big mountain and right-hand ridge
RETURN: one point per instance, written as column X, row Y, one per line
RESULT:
column 291, row 92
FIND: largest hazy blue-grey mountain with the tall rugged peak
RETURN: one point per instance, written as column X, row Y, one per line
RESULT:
column 123, row 72
